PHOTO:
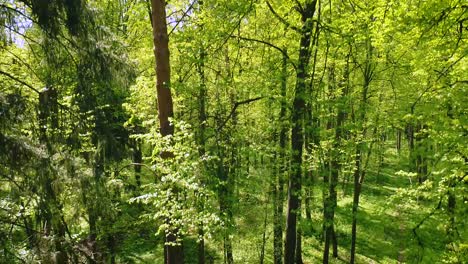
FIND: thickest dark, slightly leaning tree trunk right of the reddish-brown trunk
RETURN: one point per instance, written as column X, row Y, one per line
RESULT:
column 297, row 133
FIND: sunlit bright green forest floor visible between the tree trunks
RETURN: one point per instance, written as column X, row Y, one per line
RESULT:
column 384, row 232
